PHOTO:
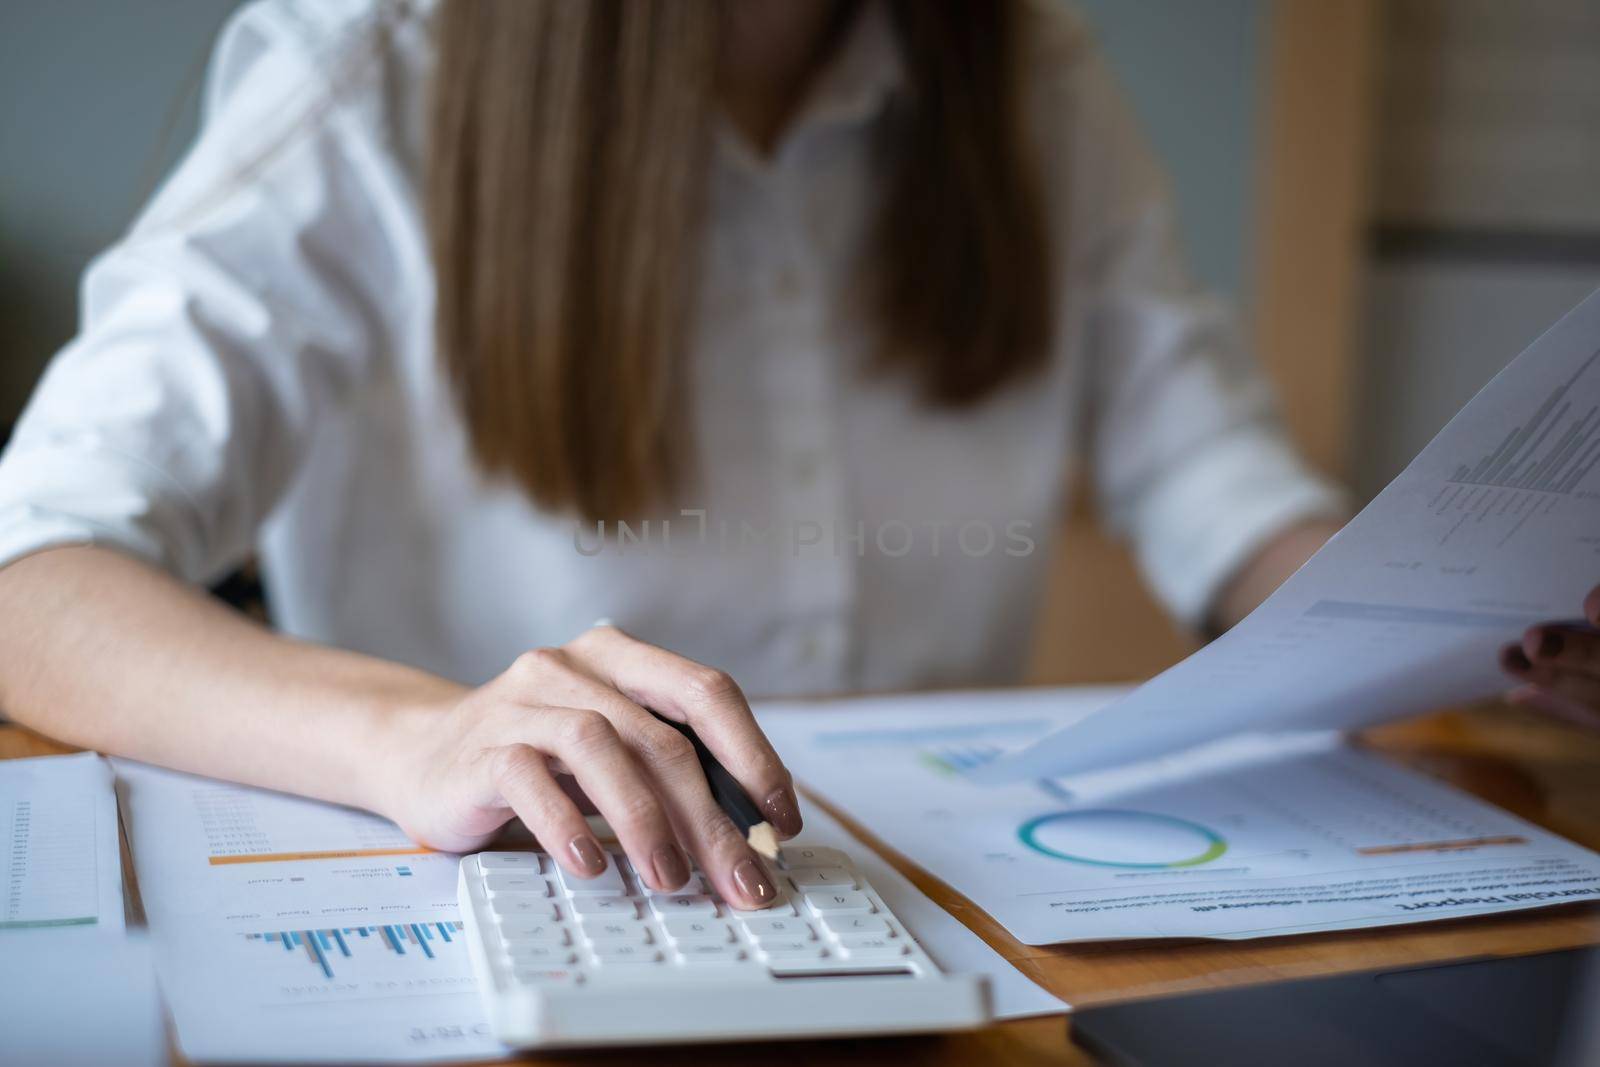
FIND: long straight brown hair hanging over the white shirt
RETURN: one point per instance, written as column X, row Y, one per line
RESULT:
column 564, row 204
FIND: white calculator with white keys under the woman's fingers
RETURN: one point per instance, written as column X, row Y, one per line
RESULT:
column 570, row 962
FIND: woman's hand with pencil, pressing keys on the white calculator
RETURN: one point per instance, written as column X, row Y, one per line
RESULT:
column 580, row 709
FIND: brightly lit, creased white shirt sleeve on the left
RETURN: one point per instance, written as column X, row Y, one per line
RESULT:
column 236, row 314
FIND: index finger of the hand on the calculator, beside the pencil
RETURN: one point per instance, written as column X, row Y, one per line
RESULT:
column 706, row 700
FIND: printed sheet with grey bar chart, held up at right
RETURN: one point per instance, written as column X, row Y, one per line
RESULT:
column 1492, row 529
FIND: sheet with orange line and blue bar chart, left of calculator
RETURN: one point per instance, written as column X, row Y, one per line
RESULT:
column 289, row 930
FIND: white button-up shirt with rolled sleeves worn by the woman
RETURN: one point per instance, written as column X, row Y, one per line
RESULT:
column 255, row 372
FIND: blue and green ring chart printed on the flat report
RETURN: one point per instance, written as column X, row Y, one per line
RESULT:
column 1114, row 837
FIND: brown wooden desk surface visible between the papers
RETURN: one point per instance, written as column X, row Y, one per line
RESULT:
column 1540, row 770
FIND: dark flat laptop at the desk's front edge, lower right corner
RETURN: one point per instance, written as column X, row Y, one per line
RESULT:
column 1508, row 1012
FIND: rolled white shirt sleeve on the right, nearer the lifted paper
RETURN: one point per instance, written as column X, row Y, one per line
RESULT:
column 1188, row 455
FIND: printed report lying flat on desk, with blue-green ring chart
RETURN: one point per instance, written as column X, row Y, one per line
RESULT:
column 1319, row 837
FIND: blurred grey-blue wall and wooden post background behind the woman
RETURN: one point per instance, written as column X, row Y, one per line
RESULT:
column 1398, row 196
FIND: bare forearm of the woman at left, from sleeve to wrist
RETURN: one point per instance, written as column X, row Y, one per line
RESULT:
column 108, row 653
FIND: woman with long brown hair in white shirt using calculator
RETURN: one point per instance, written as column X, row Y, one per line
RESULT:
column 766, row 329
